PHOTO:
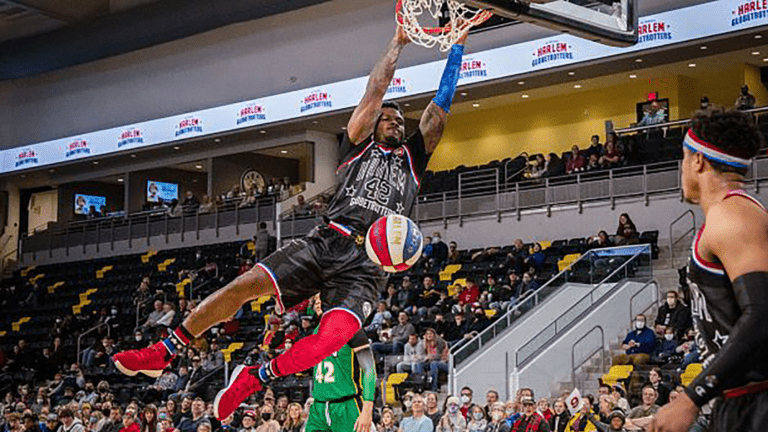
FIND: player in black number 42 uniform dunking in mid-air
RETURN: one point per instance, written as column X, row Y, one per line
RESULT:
column 379, row 175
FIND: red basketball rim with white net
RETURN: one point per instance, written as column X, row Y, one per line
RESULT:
column 460, row 18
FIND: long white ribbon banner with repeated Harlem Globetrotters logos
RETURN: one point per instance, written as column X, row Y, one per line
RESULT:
column 668, row 28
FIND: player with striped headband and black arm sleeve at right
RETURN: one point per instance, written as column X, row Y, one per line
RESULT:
column 728, row 272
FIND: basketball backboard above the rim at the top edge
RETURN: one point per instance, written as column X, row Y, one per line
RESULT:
column 604, row 21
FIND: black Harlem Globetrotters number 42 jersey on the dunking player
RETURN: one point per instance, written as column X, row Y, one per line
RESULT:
column 377, row 180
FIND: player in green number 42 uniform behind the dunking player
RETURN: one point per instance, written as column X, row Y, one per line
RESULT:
column 344, row 388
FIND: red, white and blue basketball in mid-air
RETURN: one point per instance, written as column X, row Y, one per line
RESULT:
column 394, row 242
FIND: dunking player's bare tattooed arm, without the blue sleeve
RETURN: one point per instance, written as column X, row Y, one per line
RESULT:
column 364, row 117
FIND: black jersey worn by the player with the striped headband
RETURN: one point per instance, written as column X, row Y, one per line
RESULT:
column 714, row 306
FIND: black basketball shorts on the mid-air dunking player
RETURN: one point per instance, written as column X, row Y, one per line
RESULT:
column 329, row 263
